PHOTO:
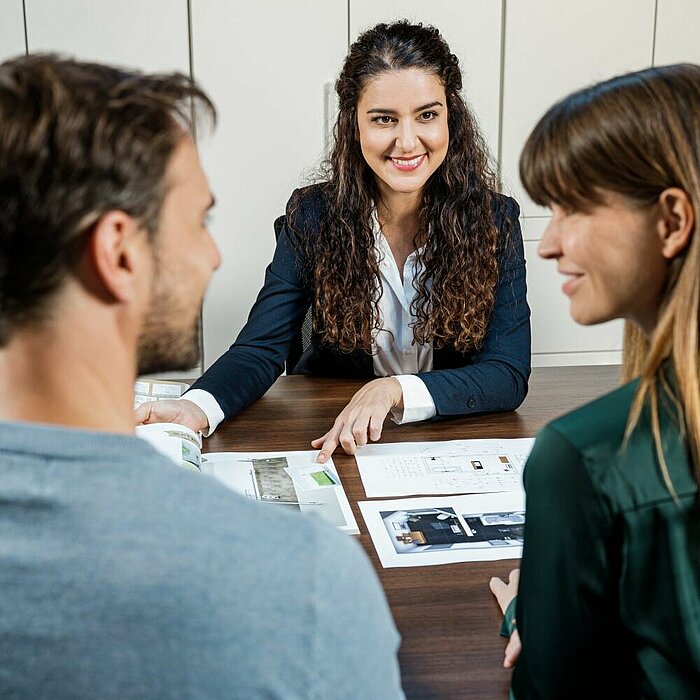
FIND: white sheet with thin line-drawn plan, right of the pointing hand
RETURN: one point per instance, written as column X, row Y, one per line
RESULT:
column 452, row 466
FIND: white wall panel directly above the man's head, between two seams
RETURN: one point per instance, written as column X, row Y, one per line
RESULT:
column 150, row 36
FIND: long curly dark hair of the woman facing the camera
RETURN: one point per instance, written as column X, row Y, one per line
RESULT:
column 455, row 291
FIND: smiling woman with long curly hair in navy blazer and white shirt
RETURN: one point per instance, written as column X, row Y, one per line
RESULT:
column 410, row 263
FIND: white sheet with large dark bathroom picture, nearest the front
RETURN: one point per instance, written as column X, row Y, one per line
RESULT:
column 446, row 529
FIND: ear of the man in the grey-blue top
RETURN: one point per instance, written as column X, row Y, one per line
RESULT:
column 119, row 253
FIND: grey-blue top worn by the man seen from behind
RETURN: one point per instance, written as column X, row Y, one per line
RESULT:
column 122, row 576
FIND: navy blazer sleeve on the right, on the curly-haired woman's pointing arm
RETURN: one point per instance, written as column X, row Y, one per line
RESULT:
column 497, row 378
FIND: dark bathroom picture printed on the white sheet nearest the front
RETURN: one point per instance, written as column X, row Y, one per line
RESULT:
column 430, row 529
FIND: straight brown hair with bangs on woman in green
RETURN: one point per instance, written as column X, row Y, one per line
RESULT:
column 636, row 135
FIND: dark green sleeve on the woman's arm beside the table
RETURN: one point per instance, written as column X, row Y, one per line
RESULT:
column 567, row 597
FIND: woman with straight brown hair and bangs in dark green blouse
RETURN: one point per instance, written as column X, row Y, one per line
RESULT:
column 608, row 603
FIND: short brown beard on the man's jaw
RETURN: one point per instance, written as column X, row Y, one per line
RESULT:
column 163, row 347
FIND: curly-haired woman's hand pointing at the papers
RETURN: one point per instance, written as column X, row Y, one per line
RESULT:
column 362, row 419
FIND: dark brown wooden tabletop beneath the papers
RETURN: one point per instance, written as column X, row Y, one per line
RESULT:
column 447, row 617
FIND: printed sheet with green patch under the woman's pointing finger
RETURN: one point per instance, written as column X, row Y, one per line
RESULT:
column 289, row 480
